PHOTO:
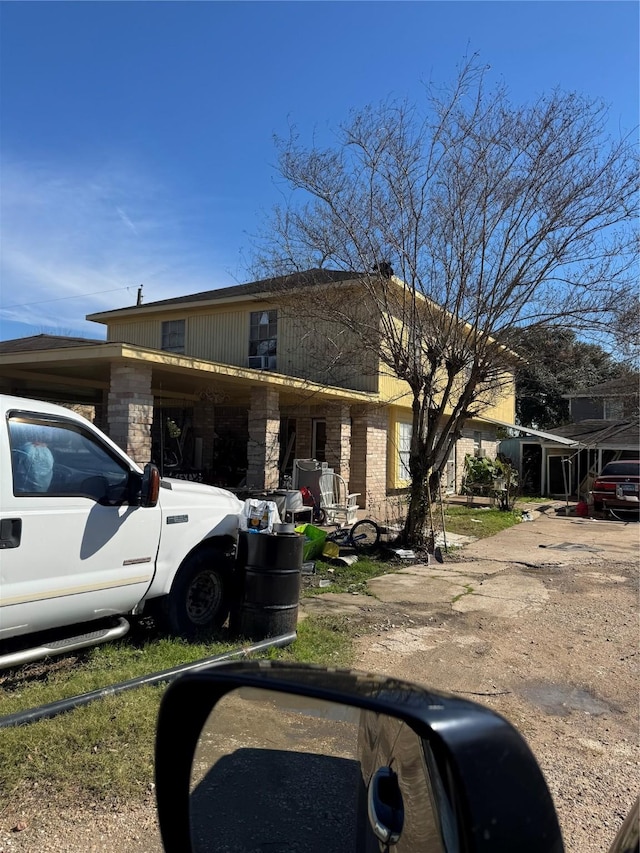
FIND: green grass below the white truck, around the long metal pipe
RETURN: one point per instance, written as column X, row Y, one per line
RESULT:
column 108, row 744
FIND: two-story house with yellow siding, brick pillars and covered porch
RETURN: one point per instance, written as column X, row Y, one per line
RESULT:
column 253, row 386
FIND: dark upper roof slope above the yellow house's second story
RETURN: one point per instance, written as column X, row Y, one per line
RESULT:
column 293, row 281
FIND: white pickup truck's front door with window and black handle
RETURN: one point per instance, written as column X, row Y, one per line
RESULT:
column 75, row 546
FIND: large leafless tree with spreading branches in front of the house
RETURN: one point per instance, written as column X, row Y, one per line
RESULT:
column 461, row 221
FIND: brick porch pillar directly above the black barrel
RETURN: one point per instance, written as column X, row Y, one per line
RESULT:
column 264, row 439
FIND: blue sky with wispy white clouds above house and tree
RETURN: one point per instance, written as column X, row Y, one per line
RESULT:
column 136, row 138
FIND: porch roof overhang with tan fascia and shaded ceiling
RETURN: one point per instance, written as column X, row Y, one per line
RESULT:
column 84, row 373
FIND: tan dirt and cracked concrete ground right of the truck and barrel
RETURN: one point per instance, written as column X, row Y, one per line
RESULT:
column 539, row 622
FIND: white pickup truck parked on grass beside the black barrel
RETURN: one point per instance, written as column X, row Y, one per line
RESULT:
column 86, row 534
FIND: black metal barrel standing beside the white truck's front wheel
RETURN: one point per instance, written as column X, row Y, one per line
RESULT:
column 270, row 568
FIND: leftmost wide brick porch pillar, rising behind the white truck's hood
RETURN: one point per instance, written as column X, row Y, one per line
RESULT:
column 130, row 410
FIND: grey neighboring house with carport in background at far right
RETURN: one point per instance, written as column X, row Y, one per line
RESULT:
column 565, row 460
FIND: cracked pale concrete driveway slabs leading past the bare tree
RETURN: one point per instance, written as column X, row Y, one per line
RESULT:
column 480, row 577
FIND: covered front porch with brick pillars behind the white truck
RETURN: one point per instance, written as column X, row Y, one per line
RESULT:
column 221, row 424
